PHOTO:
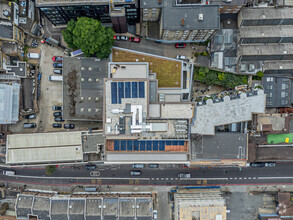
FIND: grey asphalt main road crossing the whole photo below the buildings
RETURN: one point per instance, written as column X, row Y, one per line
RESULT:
column 164, row 175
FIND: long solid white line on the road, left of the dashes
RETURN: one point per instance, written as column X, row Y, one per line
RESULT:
column 80, row 178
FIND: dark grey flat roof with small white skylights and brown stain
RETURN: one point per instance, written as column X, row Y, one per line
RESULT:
column 83, row 88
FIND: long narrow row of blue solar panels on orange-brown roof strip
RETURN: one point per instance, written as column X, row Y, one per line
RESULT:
column 142, row 145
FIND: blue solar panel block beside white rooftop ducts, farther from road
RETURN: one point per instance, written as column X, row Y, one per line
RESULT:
column 120, row 90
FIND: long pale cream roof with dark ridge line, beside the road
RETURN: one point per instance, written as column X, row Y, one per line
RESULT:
column 44, row 147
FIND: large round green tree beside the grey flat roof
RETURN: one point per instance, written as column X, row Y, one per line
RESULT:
column 90, row 36
